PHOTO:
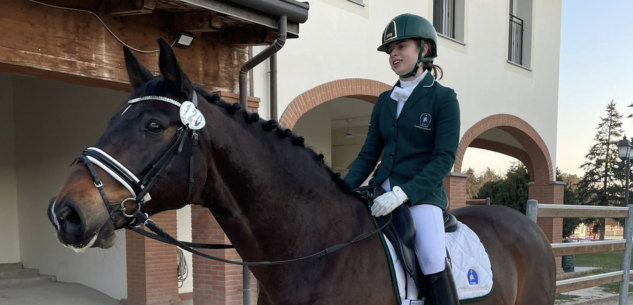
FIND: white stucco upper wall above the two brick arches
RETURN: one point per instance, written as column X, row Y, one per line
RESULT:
column 340, row 38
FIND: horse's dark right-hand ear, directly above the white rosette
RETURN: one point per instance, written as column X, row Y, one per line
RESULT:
column 171, row 70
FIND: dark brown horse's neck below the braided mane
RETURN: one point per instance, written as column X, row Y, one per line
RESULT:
column 273, row 201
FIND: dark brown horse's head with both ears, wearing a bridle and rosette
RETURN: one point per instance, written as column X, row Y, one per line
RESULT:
column 144, row 141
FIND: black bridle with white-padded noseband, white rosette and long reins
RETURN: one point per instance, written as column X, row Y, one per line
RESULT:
column 192, row 120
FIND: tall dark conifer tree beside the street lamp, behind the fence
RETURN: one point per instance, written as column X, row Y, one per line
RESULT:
column 601, row 184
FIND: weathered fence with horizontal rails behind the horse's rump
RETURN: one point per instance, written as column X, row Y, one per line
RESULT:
column 534, row 210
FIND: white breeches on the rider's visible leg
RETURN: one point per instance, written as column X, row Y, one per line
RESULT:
column 430, row 242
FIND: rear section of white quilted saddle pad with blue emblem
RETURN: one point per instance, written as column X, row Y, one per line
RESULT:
column 471, row 265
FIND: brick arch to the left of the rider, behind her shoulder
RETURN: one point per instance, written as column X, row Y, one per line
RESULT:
column 358, row 88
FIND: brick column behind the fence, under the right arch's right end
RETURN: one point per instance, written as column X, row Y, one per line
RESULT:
column 551, row 193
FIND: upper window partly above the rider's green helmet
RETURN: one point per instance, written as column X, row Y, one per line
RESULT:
column 448, row 18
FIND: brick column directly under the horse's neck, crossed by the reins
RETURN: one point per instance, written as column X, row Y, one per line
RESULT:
column 215, row 283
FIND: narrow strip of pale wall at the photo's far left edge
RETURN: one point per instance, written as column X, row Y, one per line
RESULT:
column 9, row 233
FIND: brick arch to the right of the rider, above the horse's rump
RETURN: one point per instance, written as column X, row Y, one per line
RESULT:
column 536, row 156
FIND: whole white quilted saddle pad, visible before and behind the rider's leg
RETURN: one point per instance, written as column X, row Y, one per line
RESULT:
column 470, row 264
